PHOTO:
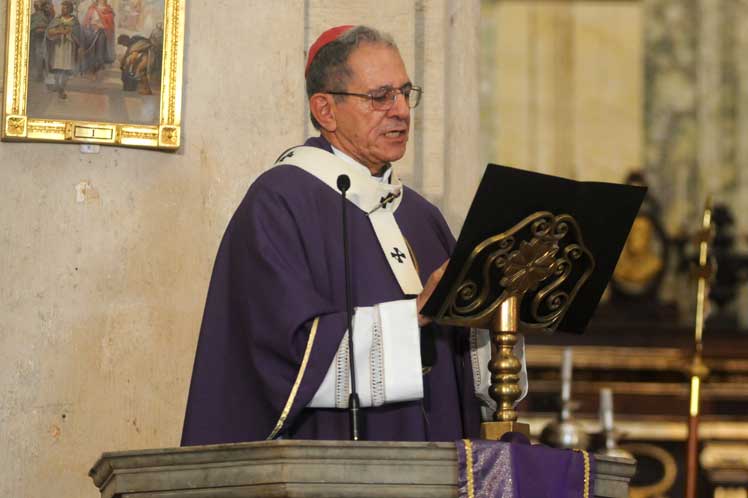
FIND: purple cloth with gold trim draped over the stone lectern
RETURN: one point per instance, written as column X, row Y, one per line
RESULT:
column 521, row 470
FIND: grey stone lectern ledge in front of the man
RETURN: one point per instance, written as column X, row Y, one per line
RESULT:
column 297, row 468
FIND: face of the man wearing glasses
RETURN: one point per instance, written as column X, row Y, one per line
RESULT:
column 373, row 137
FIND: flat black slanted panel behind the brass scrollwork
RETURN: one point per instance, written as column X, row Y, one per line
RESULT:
column 604, row 213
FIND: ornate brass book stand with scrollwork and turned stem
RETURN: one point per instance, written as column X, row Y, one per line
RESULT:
column 521, row 280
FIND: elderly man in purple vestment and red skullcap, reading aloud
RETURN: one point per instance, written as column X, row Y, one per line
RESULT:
column 273, row 357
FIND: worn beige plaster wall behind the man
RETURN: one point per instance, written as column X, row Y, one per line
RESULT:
column 105, row 258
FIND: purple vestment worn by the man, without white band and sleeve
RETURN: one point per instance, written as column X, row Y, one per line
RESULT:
column 280, row 266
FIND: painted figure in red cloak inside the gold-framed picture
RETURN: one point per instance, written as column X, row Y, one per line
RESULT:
column 98, row 29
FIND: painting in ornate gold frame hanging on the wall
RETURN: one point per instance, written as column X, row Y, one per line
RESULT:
column 94, row 71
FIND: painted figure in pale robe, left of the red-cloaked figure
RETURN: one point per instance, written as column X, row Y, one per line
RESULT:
column 62, row 43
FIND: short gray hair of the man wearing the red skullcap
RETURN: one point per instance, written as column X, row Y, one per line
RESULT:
column 329, row 71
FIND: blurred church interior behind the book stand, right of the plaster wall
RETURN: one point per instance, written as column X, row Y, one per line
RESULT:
column 653, row 93
